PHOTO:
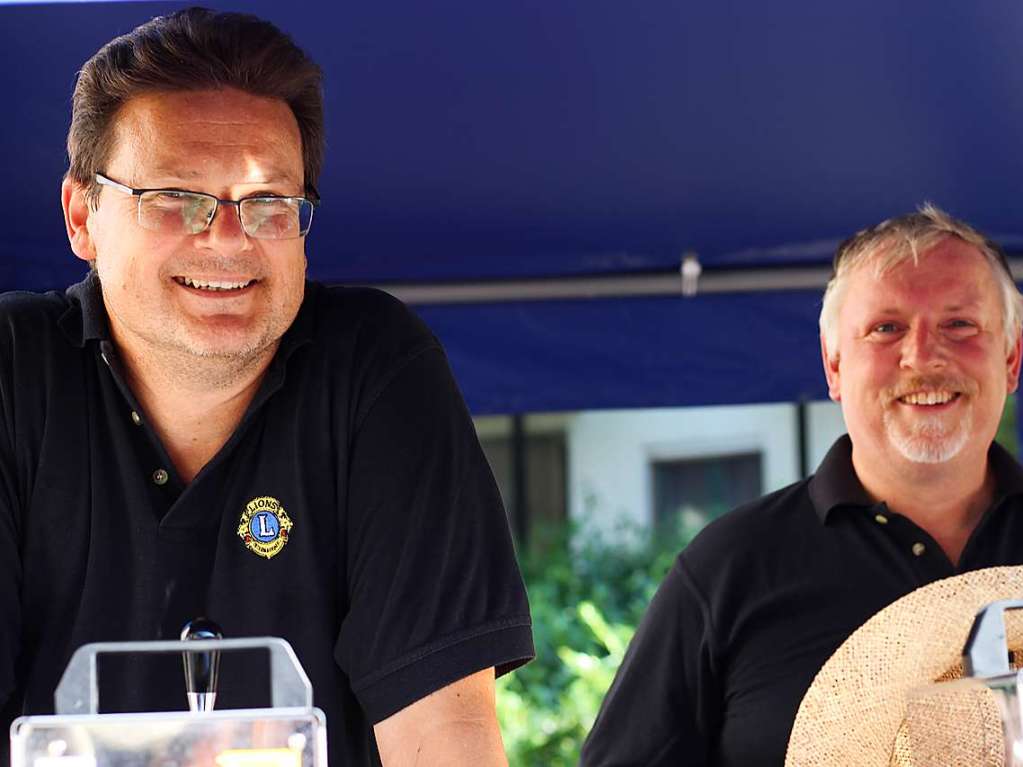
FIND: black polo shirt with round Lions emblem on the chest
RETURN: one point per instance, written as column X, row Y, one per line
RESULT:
column 351, row 513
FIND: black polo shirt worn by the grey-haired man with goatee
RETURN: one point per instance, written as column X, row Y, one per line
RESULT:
column 760, row 601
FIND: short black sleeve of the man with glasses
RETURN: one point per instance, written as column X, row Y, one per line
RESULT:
column 434, row 591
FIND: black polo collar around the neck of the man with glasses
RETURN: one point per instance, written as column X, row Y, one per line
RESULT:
column 86, row 321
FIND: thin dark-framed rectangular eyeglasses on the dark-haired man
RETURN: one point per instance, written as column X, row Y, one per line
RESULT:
column 181, row 212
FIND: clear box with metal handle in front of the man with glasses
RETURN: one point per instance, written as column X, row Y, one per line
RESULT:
column 290, row 734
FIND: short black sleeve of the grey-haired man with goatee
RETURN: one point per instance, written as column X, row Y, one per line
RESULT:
column 663, row 705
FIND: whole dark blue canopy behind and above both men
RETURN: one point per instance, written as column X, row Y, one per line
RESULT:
column 499, row 141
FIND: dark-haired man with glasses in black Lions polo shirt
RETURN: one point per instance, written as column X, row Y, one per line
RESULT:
column 195, row 430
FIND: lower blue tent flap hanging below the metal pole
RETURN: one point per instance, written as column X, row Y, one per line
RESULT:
column 569, row 355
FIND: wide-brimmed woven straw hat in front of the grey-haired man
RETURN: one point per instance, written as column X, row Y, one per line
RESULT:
column 870, row 706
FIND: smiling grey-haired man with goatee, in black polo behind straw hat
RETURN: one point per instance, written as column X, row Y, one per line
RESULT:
column 920, row 338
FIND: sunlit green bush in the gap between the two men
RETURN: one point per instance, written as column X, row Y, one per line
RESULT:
column 587, row 596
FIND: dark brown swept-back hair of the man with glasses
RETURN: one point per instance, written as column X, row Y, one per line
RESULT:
column 188, row 51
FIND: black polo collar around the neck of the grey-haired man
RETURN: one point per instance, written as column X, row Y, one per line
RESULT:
column 836, row 485
